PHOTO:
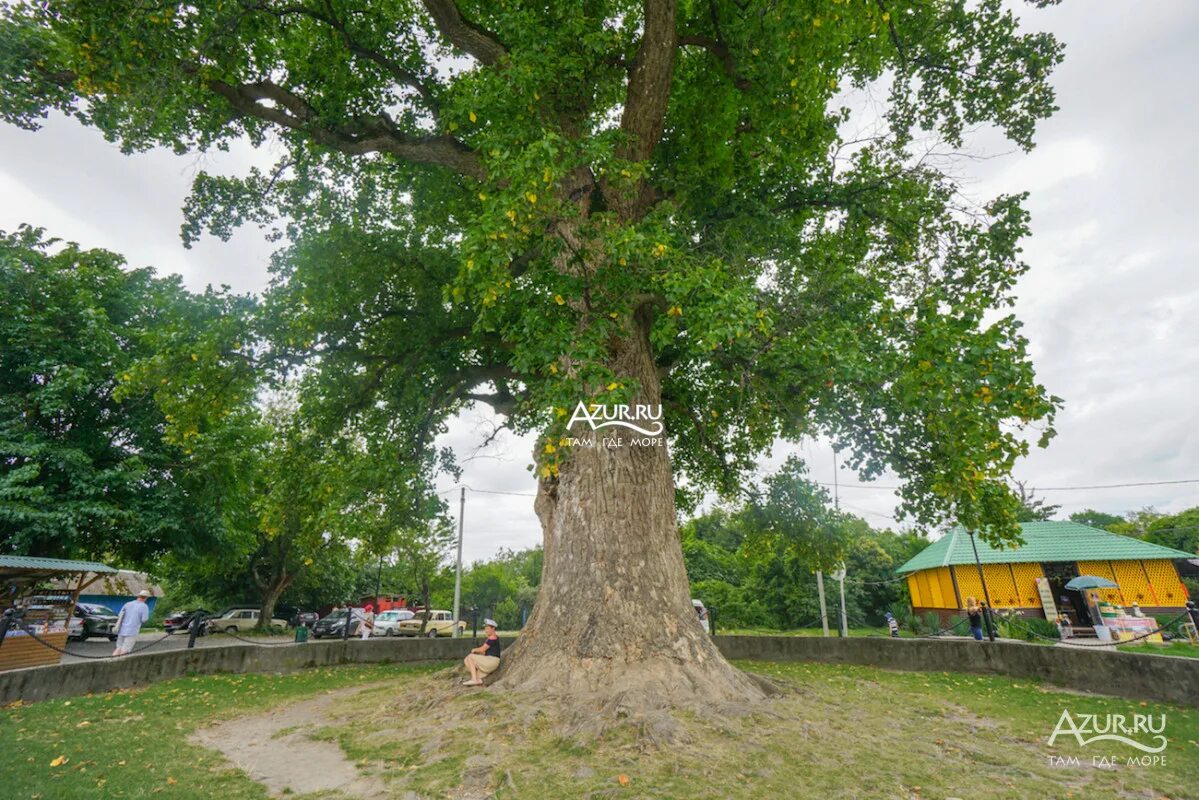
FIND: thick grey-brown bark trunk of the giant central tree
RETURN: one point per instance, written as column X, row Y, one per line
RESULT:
column 614, row 622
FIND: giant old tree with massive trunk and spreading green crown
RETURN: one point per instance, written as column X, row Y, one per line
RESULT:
column 533, row 206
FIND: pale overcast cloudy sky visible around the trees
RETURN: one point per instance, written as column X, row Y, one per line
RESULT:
column 1111, row 304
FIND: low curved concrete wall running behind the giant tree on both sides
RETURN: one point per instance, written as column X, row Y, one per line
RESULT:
column 1123, row 675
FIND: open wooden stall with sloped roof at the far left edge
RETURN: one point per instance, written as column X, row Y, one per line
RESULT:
column 28, row 585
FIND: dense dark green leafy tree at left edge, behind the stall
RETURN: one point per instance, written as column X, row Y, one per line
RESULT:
column 92, row 466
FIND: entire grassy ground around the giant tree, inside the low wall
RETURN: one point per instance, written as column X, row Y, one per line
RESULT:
column 845, row 732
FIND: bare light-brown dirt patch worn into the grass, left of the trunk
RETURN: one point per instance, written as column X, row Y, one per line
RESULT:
column 293, row 762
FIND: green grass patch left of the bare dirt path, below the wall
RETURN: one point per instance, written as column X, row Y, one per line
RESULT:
column 134, row 744
